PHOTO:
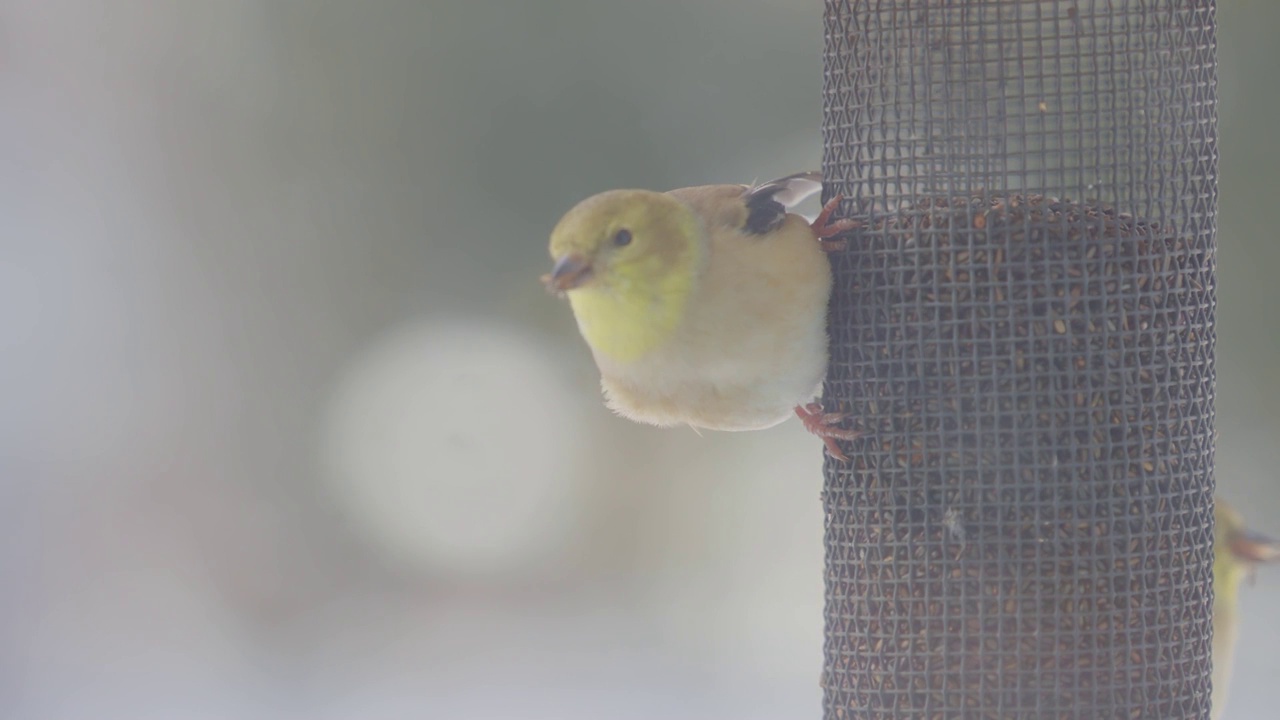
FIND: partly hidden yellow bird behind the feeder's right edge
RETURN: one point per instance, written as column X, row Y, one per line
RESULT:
column 1237, row 552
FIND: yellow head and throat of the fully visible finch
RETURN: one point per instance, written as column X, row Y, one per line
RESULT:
column 628, row 261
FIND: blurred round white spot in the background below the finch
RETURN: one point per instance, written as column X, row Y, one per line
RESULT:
column 456, row 446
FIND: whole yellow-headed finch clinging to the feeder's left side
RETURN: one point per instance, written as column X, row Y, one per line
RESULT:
column 705, row 307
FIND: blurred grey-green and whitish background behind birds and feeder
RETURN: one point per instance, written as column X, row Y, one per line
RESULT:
column 291, row 430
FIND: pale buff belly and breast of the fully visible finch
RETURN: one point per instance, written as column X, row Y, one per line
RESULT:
column 753, row 347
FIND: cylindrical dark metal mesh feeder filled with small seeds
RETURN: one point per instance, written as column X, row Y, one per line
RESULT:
column 1025, row 330
